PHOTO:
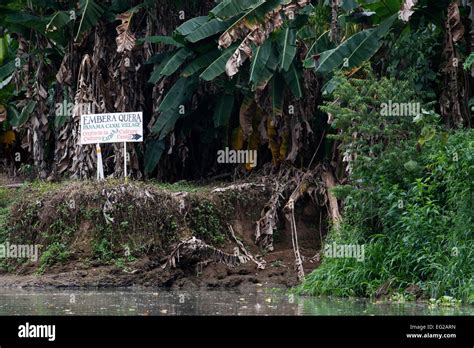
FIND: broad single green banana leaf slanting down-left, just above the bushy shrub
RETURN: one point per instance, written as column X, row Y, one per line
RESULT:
column 355, row 50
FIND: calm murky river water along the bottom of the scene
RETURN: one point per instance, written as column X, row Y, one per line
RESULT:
column 209, row 302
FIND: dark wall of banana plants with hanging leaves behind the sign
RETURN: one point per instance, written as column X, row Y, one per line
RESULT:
column 263, row 61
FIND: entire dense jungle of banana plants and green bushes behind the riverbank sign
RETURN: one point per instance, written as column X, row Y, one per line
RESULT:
column 360, row 110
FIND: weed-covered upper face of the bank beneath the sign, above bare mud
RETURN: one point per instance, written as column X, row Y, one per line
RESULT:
column 71, row 222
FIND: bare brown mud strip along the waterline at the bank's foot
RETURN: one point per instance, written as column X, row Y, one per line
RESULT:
column 146, row 272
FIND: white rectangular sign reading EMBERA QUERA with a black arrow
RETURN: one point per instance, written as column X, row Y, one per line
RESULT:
column 121, row 127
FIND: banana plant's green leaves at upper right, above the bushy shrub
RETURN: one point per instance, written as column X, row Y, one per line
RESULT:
column 381, row 16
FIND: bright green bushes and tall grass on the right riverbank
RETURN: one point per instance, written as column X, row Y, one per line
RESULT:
column 410, row 200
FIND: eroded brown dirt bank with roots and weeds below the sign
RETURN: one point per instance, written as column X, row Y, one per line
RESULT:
column 114, row 235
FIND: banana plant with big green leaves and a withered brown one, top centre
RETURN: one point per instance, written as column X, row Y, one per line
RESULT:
column 253, row 42
